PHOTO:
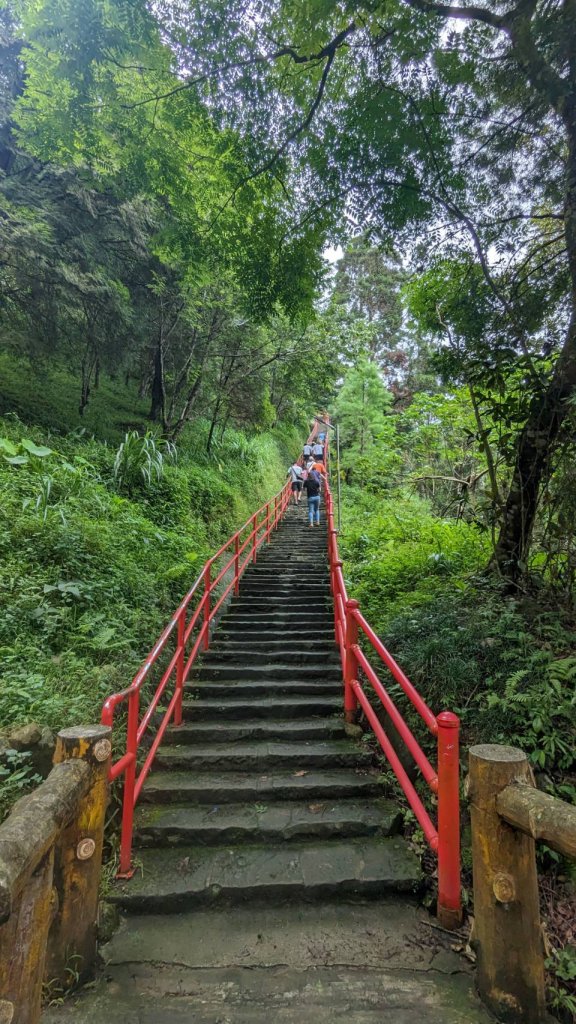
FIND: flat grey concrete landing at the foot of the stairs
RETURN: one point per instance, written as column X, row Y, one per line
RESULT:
column 312, row 964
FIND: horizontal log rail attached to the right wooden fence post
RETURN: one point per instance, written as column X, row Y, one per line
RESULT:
column 540, row 816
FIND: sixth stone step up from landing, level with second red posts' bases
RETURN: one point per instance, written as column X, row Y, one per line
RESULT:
column 262, row 707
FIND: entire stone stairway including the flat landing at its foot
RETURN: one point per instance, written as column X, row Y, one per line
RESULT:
column 270, row 863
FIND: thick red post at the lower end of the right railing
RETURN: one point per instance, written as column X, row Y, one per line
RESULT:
column 449, row 898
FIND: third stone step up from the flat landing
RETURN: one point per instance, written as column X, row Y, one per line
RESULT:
column 229, row 788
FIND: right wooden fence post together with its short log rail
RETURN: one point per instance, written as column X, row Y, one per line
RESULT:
column 509, row 815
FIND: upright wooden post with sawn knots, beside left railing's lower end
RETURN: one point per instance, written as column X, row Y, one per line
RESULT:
column 72, row 943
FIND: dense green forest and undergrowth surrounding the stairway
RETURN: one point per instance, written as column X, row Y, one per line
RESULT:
column 172, row 179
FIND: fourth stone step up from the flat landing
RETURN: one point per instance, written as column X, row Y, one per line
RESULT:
column 265, row 756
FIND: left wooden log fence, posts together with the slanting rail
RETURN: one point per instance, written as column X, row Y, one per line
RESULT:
column 51, row 859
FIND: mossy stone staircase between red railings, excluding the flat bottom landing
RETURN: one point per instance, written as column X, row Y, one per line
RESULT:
column 261, row 794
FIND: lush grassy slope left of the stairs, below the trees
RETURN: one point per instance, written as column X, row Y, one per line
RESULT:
column 89, row 576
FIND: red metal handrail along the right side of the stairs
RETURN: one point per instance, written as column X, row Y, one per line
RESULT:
column 350, row 624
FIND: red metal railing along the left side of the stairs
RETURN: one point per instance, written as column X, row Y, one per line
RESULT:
column 174, row 656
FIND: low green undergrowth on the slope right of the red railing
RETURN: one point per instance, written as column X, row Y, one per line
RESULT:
column 501, row 664
